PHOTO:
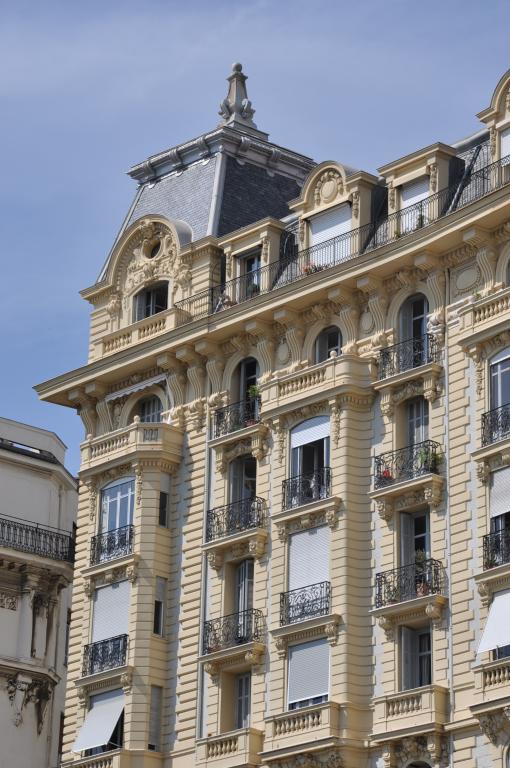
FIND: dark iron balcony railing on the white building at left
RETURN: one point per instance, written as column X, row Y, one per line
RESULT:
column 36, row 539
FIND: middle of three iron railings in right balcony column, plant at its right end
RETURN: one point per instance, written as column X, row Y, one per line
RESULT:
column 407, row 463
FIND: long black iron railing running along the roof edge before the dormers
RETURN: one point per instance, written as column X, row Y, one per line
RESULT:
column 299, row 264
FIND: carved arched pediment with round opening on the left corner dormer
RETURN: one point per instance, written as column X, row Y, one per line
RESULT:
column 148, row 251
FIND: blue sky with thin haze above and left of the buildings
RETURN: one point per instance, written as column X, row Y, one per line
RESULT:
column 89, row 89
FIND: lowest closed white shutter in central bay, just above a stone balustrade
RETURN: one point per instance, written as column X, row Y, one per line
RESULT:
column 308, row 670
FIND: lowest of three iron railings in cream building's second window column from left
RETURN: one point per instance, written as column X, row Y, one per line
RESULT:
column 234, row 629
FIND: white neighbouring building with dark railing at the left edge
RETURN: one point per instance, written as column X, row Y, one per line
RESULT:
column 38, row 501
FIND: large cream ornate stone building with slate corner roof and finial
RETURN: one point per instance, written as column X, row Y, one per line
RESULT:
column 294, row 521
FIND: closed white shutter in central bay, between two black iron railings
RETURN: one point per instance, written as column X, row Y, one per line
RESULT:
column 309, row 557
